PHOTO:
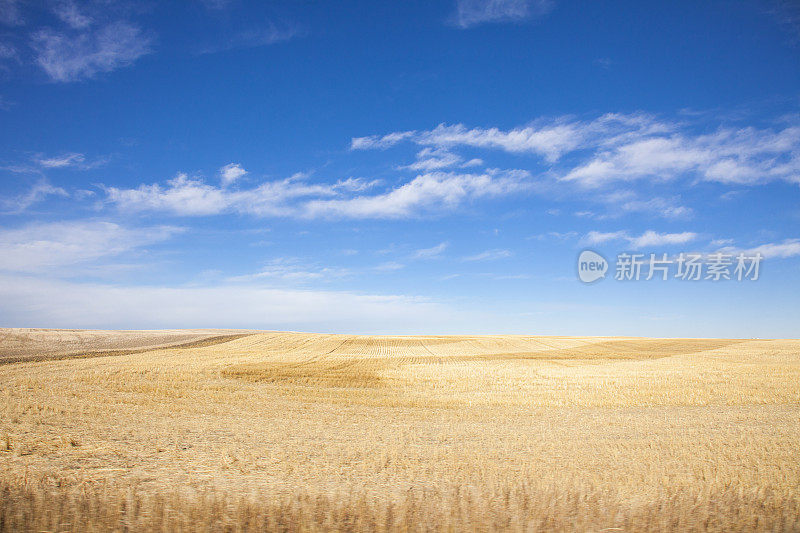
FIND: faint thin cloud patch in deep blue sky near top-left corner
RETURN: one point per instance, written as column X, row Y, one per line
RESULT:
column 71, row 56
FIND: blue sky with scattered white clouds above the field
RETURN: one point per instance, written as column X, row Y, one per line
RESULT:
column 408, row 167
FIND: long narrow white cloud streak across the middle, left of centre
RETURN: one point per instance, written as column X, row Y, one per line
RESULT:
column 431, row 192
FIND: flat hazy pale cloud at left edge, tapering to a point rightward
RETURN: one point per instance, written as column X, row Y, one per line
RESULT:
column 43, row 247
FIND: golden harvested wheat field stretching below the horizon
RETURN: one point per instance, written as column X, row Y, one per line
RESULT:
column 235, row 430
